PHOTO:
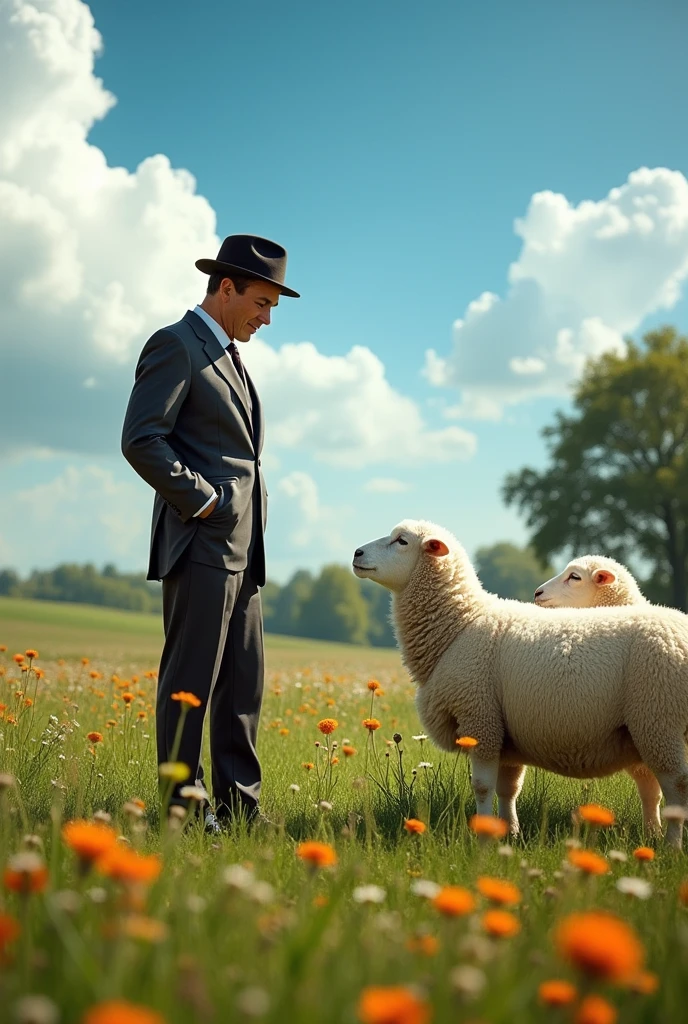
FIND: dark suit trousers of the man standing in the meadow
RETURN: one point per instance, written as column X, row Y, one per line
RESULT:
column 214, row 650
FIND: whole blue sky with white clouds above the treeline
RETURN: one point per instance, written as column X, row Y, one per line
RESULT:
column 476, row 198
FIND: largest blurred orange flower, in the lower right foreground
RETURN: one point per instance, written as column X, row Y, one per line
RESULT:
column 600, row 945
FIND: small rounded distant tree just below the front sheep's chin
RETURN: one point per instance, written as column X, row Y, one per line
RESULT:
column 336, row 609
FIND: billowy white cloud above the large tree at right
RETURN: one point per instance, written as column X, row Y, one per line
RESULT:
column 586, row 277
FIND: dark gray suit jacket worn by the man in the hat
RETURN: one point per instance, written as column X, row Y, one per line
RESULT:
column 190, row 433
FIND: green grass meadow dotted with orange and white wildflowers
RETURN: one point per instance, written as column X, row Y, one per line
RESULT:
column 170, row 926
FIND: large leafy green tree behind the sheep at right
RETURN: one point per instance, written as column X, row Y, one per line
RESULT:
column 619, row 476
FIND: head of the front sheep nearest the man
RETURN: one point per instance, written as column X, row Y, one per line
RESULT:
column 392, row 561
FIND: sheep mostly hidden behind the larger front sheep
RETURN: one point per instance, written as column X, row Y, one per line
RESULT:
column 599, row 582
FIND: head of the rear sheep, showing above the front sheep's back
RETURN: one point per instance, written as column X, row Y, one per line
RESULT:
column 582, row 583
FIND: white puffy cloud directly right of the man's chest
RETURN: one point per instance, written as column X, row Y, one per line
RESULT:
column 343, row 410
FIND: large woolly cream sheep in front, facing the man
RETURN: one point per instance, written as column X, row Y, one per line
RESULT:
column 580, row 693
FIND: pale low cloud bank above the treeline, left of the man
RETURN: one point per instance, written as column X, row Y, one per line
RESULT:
column 81, row 514
